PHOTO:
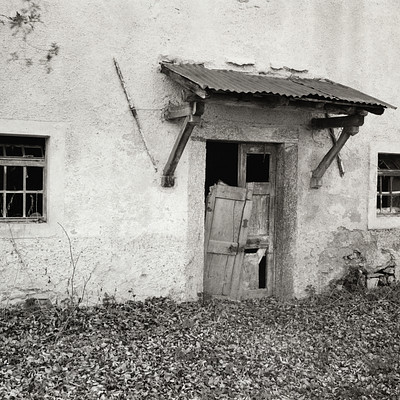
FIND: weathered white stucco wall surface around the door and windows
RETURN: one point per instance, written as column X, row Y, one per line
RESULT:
column 135, row 237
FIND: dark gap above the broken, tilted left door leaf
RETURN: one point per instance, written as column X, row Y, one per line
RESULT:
column 221, row 164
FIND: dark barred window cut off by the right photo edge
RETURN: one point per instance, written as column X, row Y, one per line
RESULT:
column 388, row 184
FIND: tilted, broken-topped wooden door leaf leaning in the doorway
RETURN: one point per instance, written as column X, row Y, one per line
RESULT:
column 227, row 220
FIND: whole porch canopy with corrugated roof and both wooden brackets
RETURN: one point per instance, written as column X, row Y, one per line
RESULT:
column 232, row 87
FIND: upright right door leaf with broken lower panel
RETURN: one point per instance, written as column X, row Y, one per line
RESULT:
column 257, row 166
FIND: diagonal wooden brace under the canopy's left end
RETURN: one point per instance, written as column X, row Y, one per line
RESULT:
column 168, row 179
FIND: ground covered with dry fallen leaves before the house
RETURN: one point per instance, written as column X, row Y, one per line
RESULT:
column 341, row 346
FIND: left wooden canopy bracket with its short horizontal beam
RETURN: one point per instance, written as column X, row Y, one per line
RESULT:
column 192, row 118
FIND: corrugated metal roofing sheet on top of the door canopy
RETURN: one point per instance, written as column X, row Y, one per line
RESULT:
column 216, row 80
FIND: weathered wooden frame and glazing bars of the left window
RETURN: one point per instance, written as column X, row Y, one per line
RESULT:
column 22, row 161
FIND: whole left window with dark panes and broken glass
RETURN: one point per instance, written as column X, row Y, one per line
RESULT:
column 22, row 178
